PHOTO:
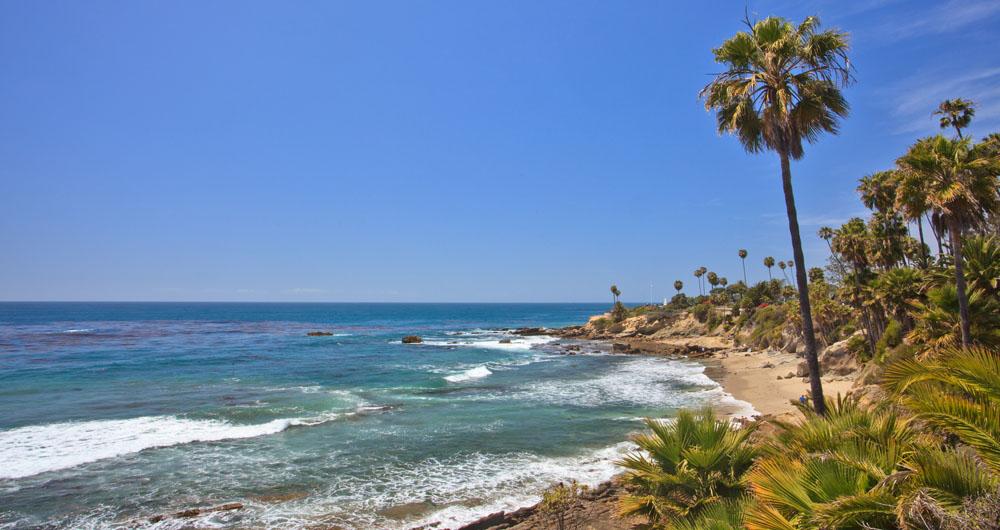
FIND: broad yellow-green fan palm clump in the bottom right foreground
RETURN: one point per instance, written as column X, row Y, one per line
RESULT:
column 860, row 466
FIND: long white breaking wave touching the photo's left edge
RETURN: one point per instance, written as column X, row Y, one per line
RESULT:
column 27, row 451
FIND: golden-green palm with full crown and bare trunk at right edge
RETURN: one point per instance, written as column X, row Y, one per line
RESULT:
column 962, row 191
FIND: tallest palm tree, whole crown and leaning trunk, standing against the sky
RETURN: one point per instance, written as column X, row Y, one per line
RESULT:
column 781, row 87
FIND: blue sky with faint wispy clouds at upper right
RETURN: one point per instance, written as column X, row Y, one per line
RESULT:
column 428, row 151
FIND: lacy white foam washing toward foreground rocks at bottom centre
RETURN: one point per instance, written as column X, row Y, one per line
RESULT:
column 452, row 491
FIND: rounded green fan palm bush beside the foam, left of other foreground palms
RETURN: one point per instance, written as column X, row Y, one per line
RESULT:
column 686, row 467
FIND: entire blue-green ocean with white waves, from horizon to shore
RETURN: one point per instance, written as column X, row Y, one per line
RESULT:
column 111, row 413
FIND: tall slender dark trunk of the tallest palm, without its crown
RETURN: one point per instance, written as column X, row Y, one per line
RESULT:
column 812, row 360
